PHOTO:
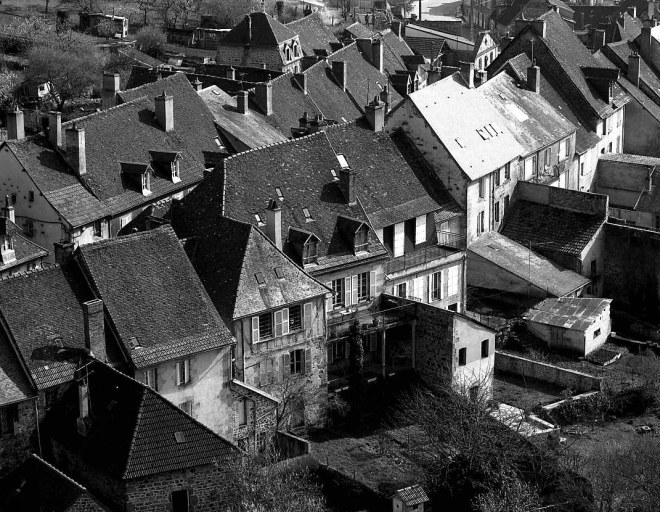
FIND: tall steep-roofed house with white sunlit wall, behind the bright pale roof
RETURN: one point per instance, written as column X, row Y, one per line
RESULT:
column 580, row 85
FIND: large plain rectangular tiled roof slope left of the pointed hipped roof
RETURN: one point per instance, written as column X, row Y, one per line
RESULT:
column 152, row 294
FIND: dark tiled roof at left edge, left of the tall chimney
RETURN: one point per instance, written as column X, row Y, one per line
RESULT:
column 42, row 308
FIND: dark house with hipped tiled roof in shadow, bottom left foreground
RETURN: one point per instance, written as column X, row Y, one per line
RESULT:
column 137, row 451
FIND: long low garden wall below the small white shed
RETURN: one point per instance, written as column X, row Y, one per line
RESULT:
column 543, row 372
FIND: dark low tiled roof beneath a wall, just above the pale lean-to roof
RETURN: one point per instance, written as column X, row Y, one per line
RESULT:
column 550, row 229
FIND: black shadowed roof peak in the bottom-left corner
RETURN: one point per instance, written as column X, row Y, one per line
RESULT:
column 36, row 485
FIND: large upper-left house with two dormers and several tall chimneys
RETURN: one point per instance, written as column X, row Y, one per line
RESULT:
column 78, row 184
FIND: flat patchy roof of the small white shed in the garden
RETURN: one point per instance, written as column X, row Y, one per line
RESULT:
column 568, row 312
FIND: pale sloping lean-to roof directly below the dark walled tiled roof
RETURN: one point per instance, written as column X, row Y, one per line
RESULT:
column 517, row 259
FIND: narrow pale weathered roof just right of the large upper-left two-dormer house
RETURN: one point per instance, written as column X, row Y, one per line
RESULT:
column 251, row 129
